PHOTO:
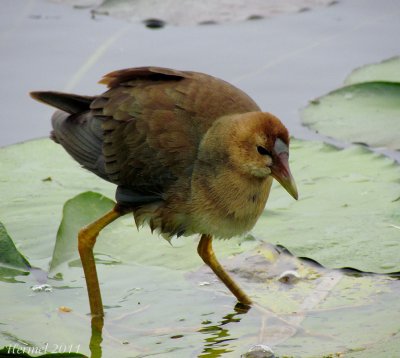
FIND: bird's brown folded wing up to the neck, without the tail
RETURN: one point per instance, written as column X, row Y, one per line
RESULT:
column 154, row 119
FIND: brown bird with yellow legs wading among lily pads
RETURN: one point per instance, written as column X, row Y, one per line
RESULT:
column 190, row 154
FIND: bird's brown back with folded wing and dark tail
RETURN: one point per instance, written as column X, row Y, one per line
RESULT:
column 144, row 132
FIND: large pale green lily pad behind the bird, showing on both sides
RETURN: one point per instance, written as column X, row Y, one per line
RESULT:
column 348, row 199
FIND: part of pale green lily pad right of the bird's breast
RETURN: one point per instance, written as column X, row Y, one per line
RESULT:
column 348, row 214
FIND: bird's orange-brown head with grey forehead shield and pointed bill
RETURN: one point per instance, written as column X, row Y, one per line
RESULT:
column 256, row 144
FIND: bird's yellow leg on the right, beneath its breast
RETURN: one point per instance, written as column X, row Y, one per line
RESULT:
column 206, row 252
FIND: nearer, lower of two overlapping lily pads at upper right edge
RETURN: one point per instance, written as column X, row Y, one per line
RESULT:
column 361, row 113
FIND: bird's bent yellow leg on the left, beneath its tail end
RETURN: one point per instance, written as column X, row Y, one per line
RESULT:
column 86, row 241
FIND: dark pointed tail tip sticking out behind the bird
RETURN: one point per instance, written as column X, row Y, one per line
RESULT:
column 70, row 103
